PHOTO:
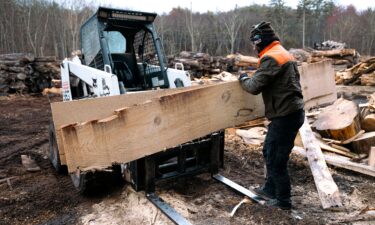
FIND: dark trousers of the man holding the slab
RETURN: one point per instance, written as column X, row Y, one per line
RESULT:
column 278, row 144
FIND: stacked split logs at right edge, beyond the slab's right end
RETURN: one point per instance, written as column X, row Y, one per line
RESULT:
column 361, row 74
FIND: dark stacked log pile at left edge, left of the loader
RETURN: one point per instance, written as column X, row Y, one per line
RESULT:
column 25, row 73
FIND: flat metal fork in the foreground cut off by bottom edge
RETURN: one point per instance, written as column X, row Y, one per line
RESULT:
column 167, row 209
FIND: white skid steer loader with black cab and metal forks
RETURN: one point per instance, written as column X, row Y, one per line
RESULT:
column 121, row 54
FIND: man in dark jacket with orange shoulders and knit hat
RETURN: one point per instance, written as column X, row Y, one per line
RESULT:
column 277, row 78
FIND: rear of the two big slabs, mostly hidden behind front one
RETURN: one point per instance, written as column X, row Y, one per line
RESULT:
column 312, row 77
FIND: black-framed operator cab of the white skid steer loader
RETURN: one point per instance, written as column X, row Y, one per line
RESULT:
column 126, row 42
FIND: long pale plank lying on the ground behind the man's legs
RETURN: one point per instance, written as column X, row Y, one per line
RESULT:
column 327, row 189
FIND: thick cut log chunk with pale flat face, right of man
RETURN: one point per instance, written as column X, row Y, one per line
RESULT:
column 339, row 121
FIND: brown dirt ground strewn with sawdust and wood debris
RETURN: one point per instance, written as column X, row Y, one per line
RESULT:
column 46, row 197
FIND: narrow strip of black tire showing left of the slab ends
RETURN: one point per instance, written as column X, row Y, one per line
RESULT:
column 54, row 151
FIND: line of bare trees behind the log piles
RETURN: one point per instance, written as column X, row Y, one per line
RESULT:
column 48, row 27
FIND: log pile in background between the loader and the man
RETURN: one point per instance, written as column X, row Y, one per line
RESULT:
column 202, row 64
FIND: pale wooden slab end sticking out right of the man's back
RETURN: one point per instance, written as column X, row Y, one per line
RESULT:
column 318, row 83
